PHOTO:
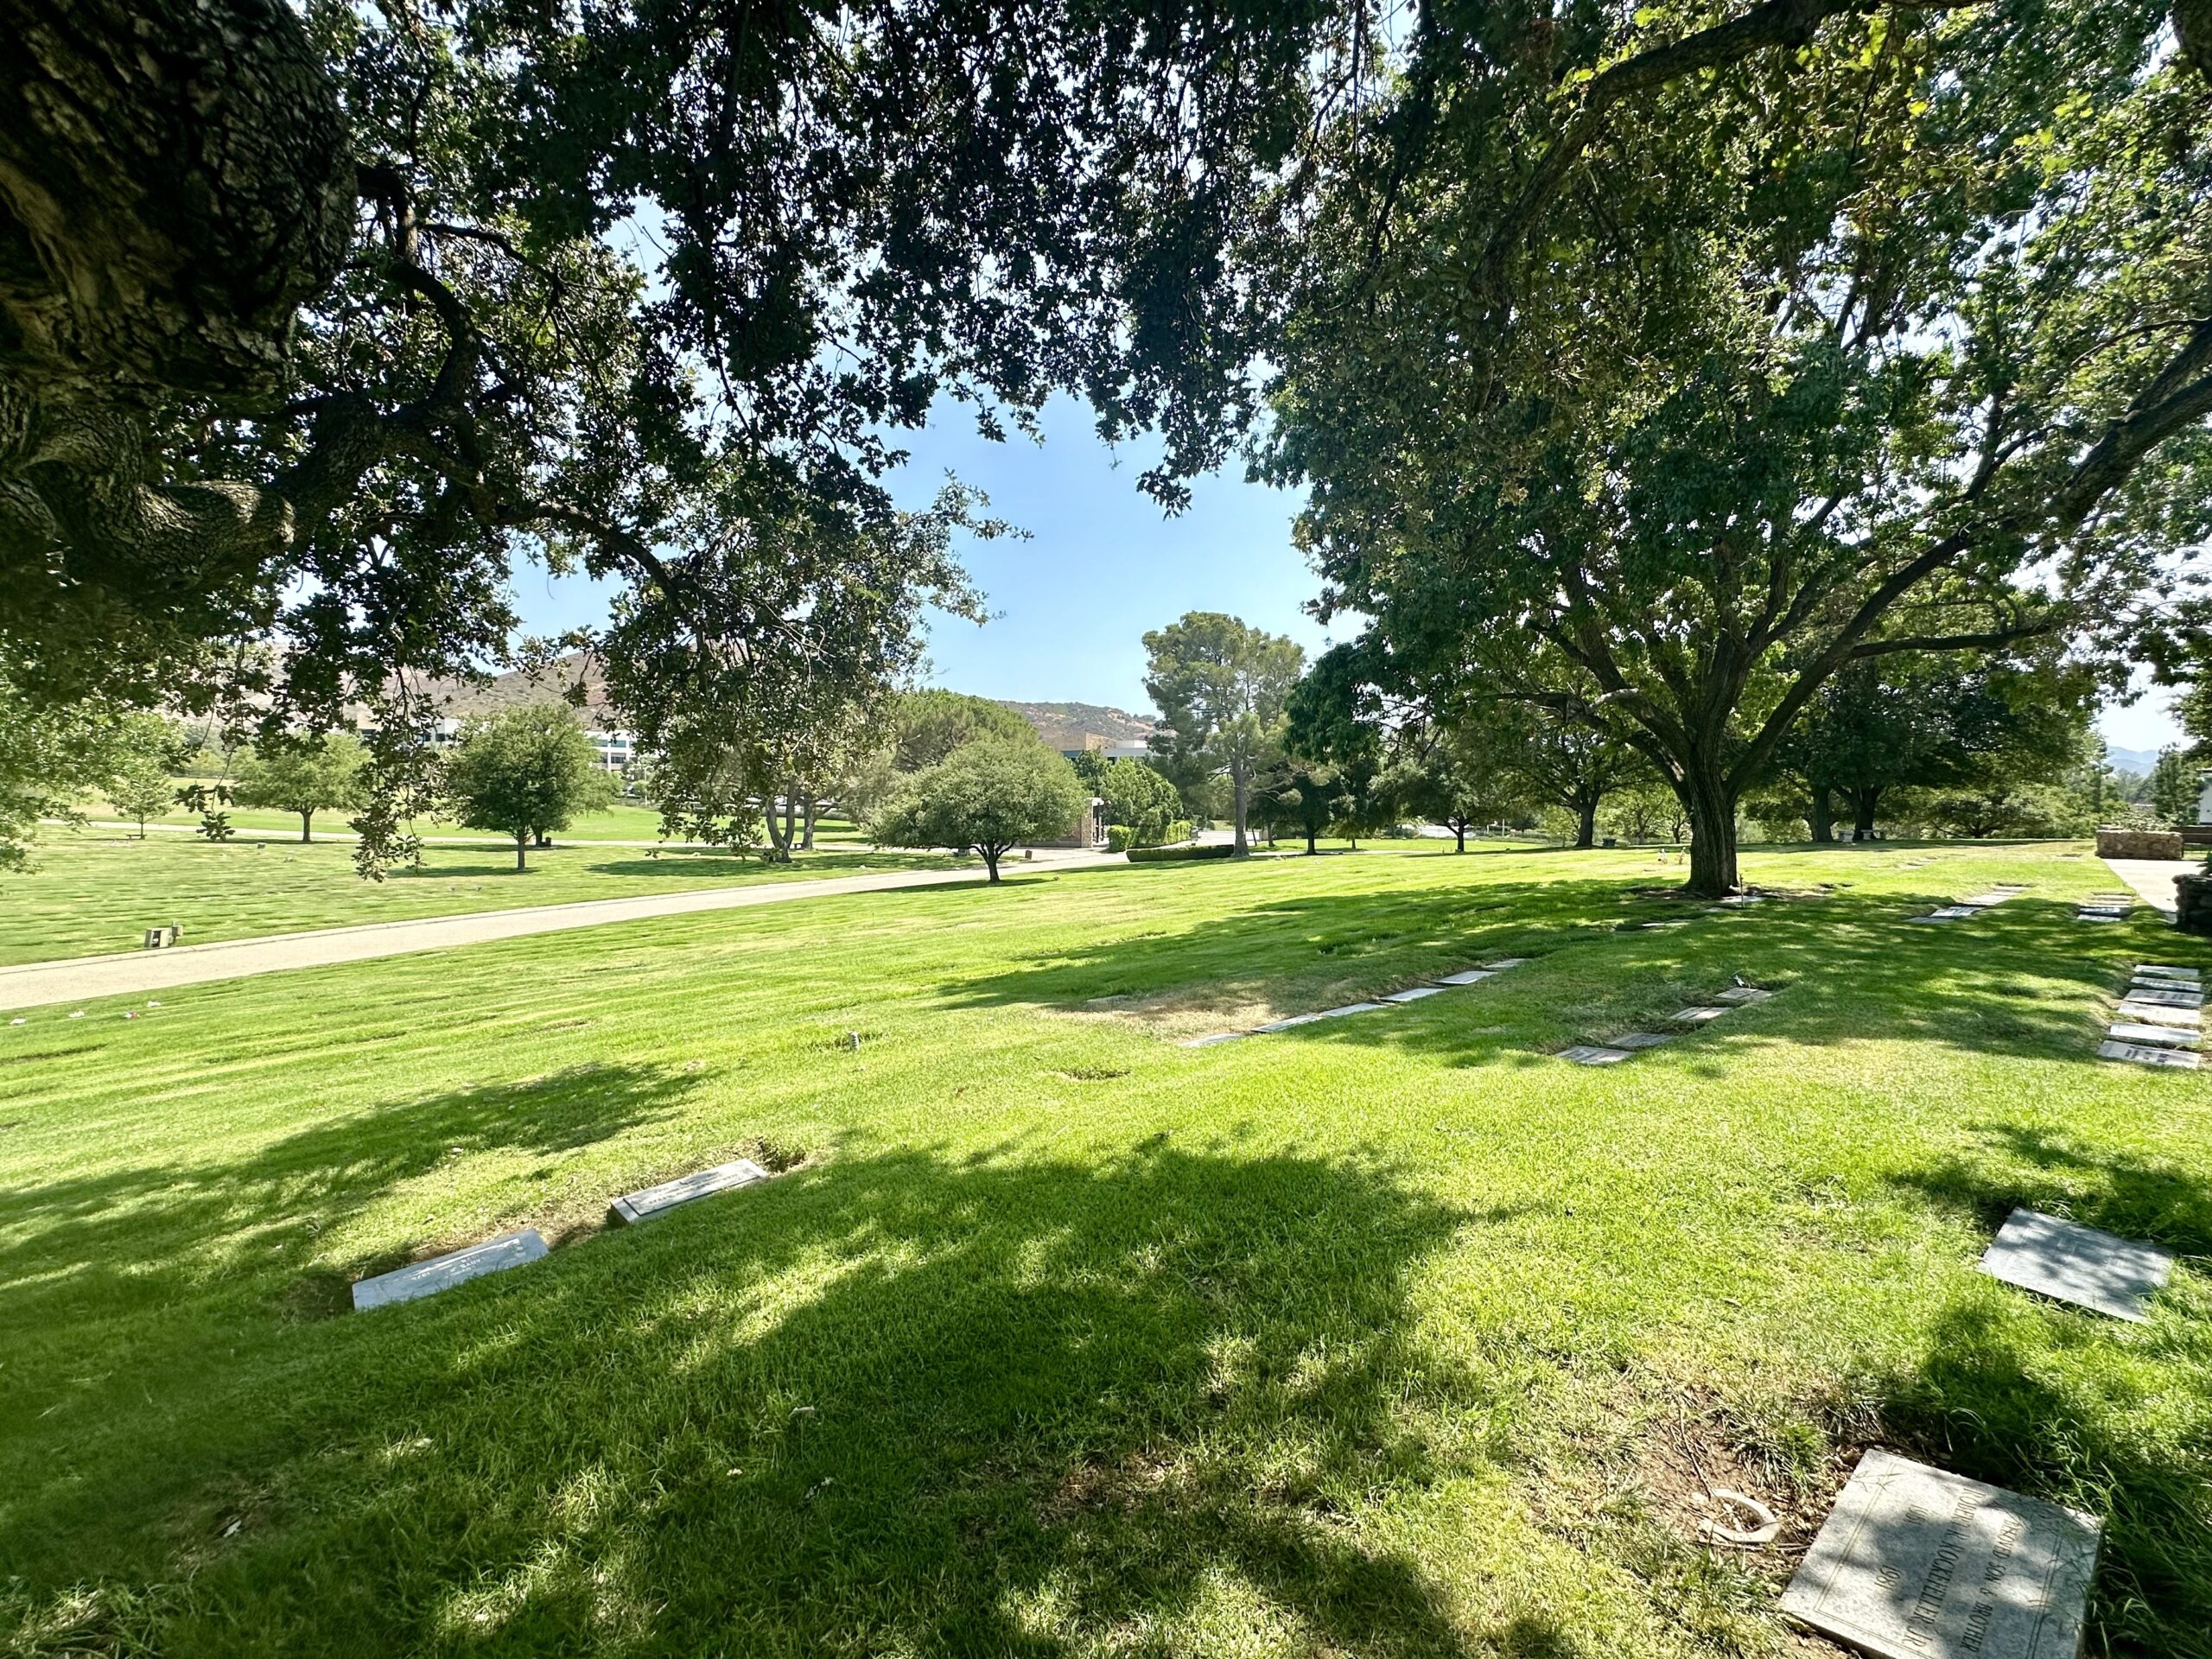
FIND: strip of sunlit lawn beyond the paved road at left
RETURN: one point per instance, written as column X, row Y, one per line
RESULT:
column 101, row 893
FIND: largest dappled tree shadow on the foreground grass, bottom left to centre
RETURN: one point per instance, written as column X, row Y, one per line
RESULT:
column 897, row 1404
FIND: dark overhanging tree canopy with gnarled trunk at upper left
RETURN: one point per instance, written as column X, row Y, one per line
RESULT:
column 311, row 342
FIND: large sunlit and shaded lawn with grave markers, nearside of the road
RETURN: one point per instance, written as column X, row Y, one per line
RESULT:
column 1381, row 1337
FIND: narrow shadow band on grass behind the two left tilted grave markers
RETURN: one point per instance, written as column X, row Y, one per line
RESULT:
column 136, row 1240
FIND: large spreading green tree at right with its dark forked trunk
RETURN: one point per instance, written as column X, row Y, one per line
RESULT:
column 1656, row 368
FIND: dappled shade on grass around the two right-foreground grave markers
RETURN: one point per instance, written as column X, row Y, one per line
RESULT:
column 2056, row 1401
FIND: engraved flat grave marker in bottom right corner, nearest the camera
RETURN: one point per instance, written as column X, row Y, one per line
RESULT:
column 1919, row 1563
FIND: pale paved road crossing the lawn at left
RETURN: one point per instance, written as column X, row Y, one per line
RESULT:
column 138, row 972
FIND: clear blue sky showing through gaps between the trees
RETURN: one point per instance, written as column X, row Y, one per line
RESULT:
column 1103, row 565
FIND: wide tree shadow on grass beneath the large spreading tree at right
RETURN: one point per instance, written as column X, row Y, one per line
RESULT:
column 2016, row 981
